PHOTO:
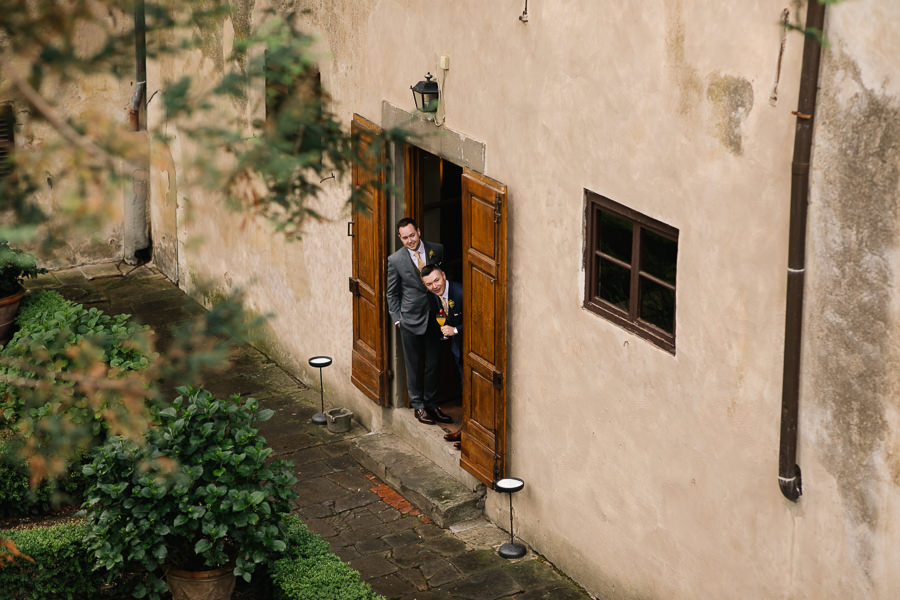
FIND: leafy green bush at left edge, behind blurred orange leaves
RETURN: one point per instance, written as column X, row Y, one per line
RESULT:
column 45, row 391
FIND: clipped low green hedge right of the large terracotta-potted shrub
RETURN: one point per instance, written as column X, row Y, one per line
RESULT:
column 312, row 572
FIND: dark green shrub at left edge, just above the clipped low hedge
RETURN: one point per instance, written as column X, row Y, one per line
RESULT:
column 17, row 497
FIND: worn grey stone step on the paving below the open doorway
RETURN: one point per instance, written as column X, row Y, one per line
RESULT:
column 440, row 497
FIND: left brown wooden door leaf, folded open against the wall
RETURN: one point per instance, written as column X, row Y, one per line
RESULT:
column 369, row 361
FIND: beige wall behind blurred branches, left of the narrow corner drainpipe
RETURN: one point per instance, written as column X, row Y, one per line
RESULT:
column 85, row 218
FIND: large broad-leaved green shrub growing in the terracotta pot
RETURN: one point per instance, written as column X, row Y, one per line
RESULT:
column 198, row 495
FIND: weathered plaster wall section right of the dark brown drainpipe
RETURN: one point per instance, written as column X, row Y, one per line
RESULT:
column 851, row 360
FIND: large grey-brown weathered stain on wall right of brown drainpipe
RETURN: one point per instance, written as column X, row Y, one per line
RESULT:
column 850, row 341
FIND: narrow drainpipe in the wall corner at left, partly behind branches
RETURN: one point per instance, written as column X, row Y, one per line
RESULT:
column 136, row 227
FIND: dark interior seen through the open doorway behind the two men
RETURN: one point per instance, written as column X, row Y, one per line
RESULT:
column 434, row 189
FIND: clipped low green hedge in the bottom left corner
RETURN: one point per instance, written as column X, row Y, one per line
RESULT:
column 62, row 567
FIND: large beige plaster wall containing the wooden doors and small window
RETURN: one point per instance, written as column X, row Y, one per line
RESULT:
column 647, row 475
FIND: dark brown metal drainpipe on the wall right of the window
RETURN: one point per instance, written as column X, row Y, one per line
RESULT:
column 788, row 470
